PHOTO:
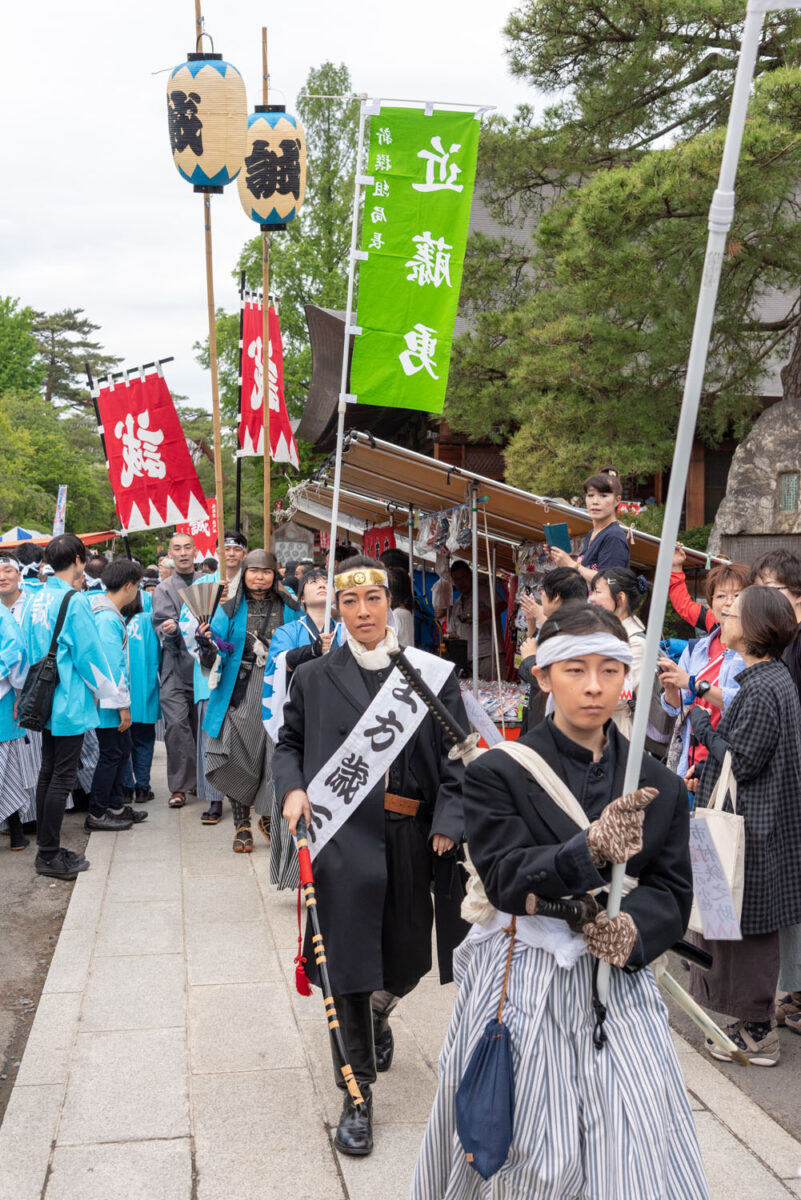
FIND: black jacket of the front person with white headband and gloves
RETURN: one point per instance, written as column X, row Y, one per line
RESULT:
column 516, row 833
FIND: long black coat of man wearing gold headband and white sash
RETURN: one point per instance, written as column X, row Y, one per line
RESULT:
column 375, row 878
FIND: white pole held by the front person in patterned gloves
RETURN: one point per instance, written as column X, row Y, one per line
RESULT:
column 720, row 223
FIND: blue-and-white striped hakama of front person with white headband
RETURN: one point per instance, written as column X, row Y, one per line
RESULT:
column 589, row 1125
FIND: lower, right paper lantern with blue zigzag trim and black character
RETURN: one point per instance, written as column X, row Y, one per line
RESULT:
column 273, row 183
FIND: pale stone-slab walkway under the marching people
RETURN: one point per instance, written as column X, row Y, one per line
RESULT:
column 171, row 1058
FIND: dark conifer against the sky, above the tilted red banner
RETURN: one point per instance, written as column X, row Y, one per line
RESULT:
column 67, row 346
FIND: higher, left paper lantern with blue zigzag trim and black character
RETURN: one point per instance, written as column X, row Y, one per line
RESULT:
column 208, row 121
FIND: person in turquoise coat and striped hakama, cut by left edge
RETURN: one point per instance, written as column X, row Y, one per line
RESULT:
column 17, row 783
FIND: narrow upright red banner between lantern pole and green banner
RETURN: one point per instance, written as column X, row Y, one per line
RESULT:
column 284, row 447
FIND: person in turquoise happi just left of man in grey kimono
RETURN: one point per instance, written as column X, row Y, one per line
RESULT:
column 144, row 659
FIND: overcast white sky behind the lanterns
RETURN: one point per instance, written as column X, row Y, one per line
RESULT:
column 94, row 214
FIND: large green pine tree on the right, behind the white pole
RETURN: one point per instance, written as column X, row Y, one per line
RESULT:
column 580, row 339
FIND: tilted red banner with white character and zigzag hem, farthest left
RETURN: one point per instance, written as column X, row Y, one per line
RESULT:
column 149, row 464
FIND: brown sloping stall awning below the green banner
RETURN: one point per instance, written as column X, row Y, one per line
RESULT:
column 381, row 481
